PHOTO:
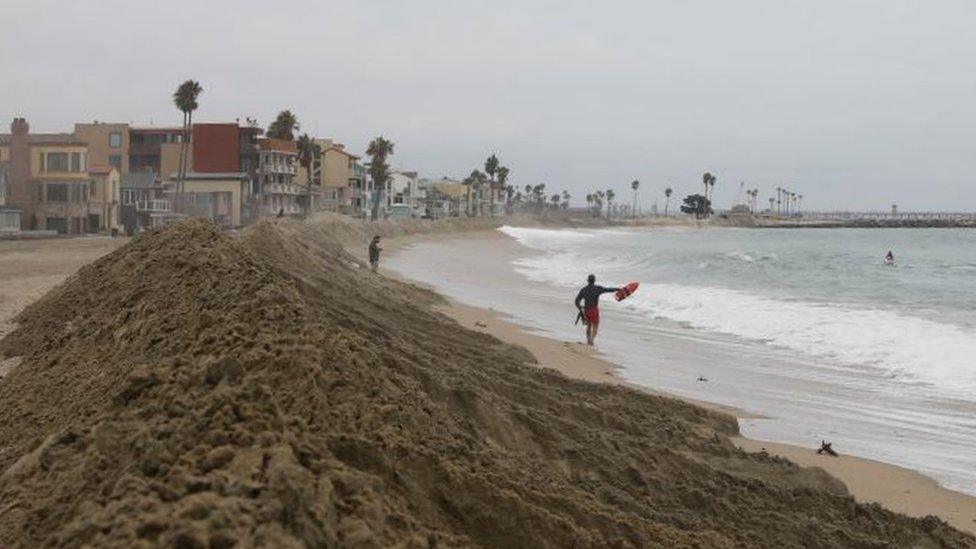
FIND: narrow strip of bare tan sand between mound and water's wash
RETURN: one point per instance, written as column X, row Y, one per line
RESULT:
column 896, row 488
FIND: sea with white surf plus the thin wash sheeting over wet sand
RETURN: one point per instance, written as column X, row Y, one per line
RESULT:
column 807, row 327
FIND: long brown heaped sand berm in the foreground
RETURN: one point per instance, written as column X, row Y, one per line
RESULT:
column 197, row 390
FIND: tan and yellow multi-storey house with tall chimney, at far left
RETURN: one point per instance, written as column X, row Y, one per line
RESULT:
column 47, row 179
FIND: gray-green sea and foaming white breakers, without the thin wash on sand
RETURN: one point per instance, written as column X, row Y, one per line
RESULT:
column 824, row 293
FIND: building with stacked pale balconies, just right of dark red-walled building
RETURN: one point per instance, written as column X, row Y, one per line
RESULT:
column 277, row 170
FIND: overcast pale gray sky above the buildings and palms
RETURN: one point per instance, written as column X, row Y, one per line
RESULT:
column 852, row 103
